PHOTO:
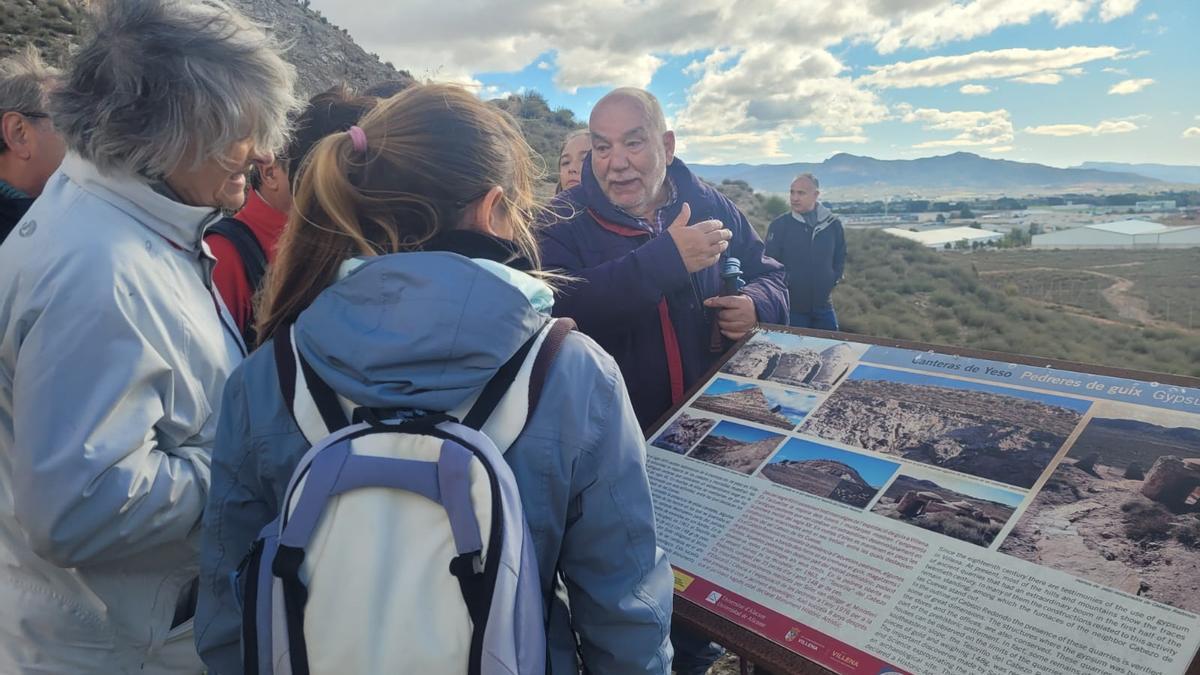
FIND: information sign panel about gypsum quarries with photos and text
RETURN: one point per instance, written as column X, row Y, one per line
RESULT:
column 877, row 509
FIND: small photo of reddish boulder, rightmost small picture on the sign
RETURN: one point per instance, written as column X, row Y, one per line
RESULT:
column 941, row 510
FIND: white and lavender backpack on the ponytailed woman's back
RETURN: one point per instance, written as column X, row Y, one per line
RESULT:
column 403, row 546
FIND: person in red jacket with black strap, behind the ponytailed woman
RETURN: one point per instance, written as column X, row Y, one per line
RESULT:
column 244, row 246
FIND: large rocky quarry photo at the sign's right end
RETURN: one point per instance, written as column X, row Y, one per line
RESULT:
column 1121, row 510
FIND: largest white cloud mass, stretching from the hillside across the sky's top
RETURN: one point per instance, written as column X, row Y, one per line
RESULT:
column 770, row 74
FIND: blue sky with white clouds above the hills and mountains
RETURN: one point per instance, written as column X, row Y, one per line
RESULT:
column 770, row 81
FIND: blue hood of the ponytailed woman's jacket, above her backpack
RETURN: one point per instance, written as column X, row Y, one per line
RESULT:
column 421, row 331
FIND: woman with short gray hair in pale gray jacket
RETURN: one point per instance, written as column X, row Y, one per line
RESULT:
column 113, row 349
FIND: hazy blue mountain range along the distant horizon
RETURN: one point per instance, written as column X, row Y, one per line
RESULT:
column 945, row 172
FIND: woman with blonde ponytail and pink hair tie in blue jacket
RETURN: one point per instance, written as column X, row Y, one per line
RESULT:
column 411, row 274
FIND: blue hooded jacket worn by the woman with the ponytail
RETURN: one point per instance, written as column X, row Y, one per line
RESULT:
column 427, row 331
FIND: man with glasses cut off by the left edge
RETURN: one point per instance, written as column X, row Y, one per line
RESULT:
column 31, row 148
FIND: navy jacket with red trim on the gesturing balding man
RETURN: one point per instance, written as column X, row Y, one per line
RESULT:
column 634, row 295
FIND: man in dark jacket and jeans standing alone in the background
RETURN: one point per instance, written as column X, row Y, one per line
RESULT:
column 812, row 246
